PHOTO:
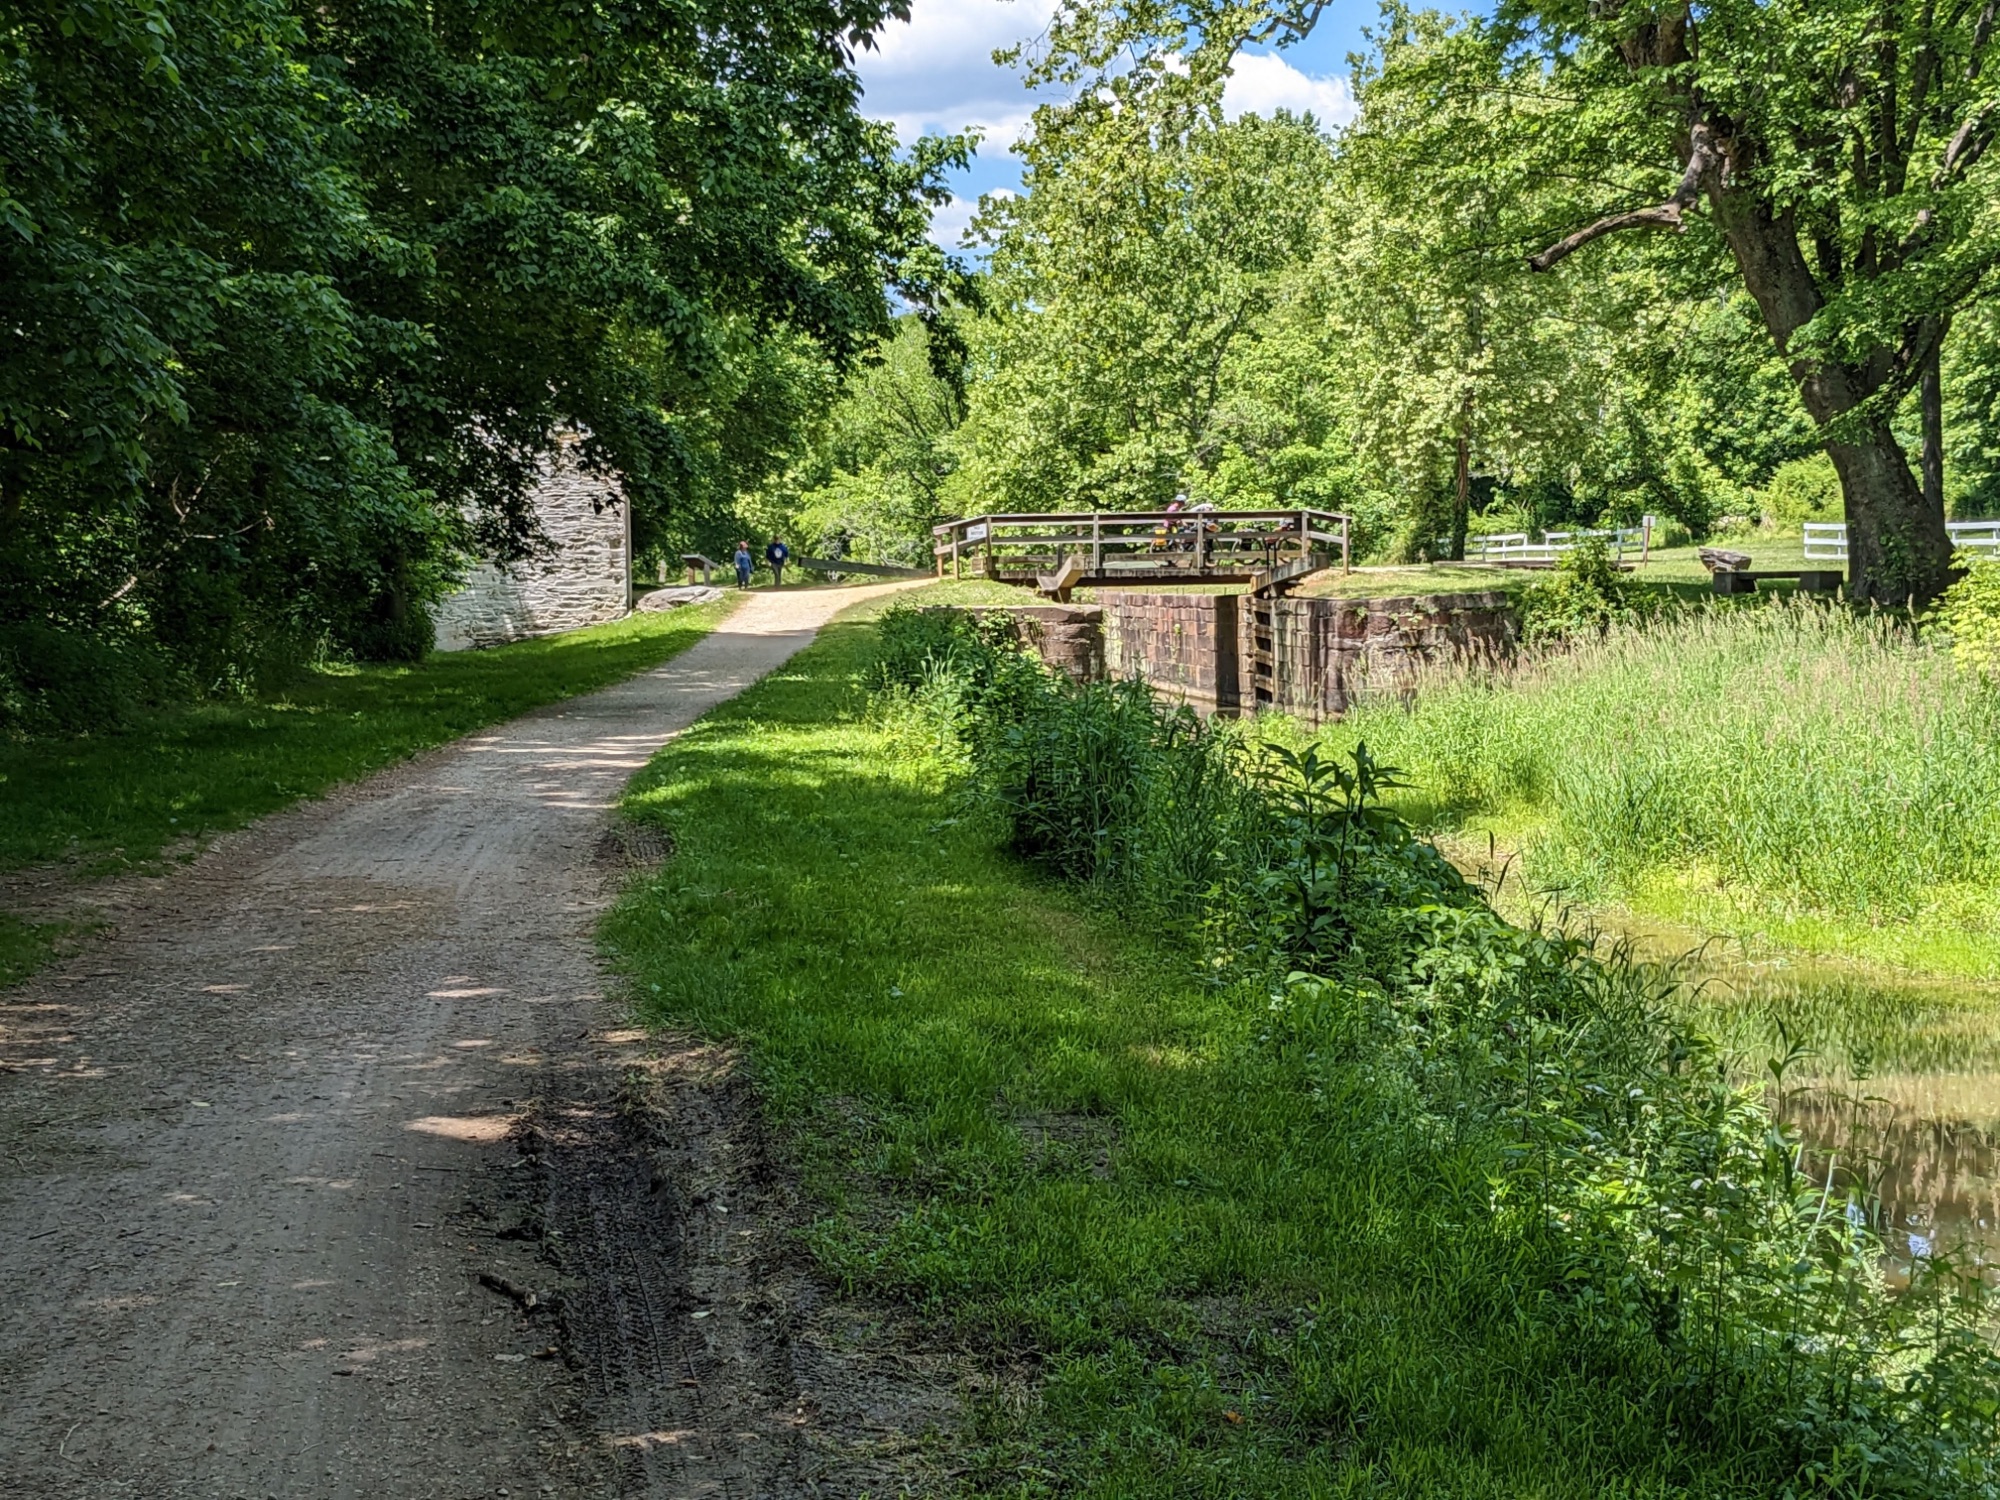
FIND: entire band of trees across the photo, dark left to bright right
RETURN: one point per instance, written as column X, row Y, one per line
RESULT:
column 295, row 301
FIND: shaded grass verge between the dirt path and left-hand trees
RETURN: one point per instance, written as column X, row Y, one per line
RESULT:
column 127, row 799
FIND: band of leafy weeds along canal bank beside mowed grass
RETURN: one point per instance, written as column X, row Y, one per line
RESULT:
column 1617, row 1187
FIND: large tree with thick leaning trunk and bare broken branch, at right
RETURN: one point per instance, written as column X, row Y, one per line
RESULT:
column 1839, row 151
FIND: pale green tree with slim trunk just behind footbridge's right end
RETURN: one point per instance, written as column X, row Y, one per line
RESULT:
column 1455, row 357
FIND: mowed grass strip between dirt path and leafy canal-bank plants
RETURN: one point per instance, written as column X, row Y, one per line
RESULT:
column 1187, row 1269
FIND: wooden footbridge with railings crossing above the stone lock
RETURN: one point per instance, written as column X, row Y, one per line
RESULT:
column 1145, row 549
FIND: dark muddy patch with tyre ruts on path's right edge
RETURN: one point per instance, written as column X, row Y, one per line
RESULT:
column 719, row 1359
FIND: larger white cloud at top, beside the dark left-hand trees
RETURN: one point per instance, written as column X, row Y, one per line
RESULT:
column 937, row 71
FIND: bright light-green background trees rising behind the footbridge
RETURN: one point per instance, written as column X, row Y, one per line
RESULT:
column 1267, row 313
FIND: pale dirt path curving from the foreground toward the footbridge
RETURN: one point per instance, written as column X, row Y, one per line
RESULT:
column 259, row 1147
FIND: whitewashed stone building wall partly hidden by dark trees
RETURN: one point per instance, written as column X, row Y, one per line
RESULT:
column 585, row 581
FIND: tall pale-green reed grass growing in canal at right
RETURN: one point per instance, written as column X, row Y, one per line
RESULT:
column 1805, row 757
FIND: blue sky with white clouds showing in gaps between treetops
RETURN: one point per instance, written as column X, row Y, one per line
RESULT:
column 937, row 73
